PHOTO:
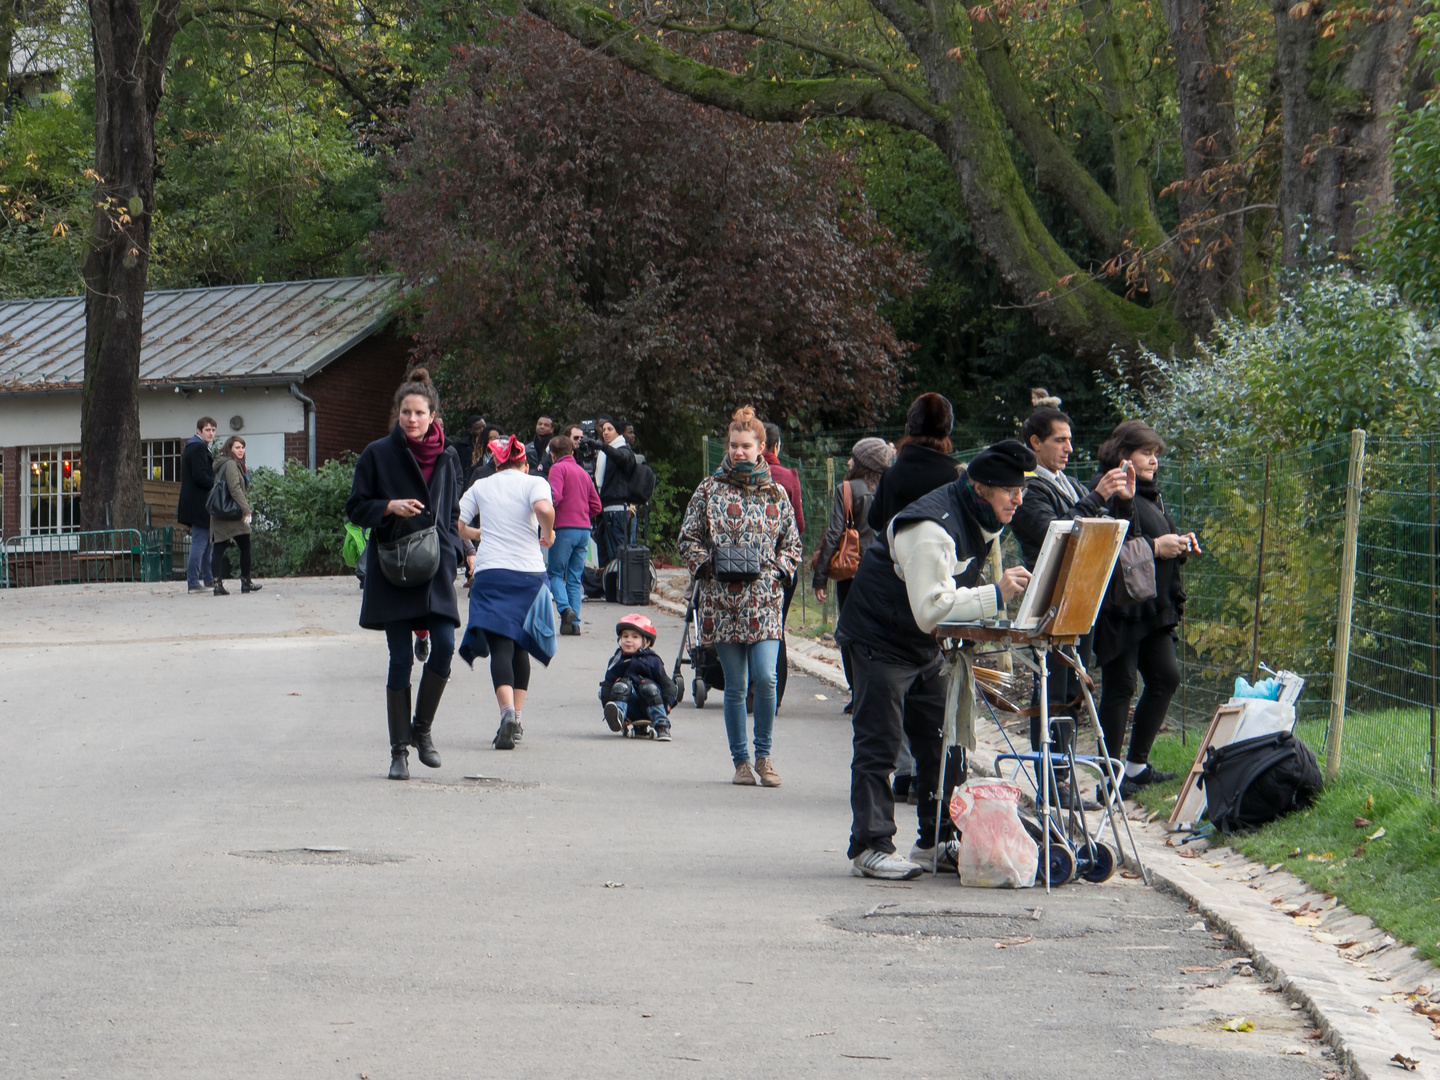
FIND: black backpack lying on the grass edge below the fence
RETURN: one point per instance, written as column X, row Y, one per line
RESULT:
column 1254, row 783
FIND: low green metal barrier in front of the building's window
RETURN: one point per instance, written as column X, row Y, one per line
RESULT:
column 109, row 555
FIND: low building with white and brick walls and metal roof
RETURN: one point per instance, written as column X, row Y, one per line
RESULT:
column 303, row 369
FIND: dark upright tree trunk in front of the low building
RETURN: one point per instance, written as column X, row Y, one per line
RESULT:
column 130, row 71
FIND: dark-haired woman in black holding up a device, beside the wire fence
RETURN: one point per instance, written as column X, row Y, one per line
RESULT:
column 1141, row 637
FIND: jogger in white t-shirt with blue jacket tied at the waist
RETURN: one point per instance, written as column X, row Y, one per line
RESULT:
column 512, row 617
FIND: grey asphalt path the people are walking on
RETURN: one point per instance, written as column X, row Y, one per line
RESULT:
column 598, row 908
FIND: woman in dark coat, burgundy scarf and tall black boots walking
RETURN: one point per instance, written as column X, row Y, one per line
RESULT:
column 404, row 483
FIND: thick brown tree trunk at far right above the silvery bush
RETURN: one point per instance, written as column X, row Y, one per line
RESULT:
column 1341, row 76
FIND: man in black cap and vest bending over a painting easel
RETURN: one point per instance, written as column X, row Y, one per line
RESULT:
column 924, row 571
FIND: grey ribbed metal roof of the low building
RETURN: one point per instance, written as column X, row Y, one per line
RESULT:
column 234, row 335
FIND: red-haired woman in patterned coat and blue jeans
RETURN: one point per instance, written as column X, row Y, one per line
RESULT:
column 742, row 506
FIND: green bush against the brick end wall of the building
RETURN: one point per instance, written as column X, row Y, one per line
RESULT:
column 300, row 519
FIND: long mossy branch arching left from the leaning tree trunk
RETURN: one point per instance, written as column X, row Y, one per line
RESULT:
column 796, row 100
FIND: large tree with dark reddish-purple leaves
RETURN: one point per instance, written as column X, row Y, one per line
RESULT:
column 580, row 238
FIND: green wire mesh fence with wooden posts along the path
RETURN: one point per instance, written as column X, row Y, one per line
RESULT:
column 1321, row 561
